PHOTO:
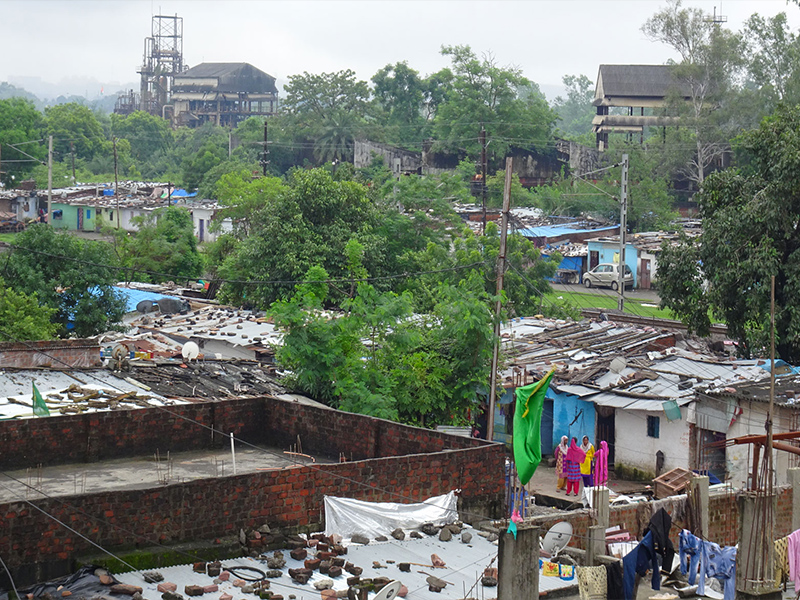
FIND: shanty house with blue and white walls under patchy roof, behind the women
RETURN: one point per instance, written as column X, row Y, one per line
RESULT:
column 645, row 387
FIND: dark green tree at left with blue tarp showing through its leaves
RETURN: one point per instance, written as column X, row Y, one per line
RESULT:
column 67, row 274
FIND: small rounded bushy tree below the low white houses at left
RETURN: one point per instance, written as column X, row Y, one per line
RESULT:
column 164, row 243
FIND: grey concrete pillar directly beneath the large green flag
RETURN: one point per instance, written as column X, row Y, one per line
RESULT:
column 518, row 565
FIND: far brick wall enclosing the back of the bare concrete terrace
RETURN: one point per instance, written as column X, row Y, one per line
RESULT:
column 140, row 432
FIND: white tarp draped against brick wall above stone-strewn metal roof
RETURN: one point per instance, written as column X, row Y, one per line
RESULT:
column 348, row 517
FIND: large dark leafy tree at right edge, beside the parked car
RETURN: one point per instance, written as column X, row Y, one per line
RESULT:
column 749, row 234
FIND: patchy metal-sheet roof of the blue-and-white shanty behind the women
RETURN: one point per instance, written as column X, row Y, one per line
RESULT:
column 619, row 365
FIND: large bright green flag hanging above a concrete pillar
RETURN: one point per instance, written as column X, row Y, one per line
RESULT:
column 527, row 427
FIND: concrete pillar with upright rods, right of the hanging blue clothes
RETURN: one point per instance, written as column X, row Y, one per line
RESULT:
column 755, row 573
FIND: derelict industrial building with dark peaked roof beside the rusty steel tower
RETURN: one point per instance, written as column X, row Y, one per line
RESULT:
column 222, row 93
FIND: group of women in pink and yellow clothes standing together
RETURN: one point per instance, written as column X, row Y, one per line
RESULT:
column 574, row 463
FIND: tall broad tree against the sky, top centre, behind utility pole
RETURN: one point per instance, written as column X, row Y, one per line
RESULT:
column 511, row 106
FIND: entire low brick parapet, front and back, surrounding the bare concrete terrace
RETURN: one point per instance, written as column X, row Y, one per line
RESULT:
column 393, row 463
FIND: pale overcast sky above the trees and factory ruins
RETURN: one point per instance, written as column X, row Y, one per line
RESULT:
column 83, row 45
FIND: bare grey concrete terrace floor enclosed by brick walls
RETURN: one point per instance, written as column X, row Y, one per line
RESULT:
column 147, row 472
